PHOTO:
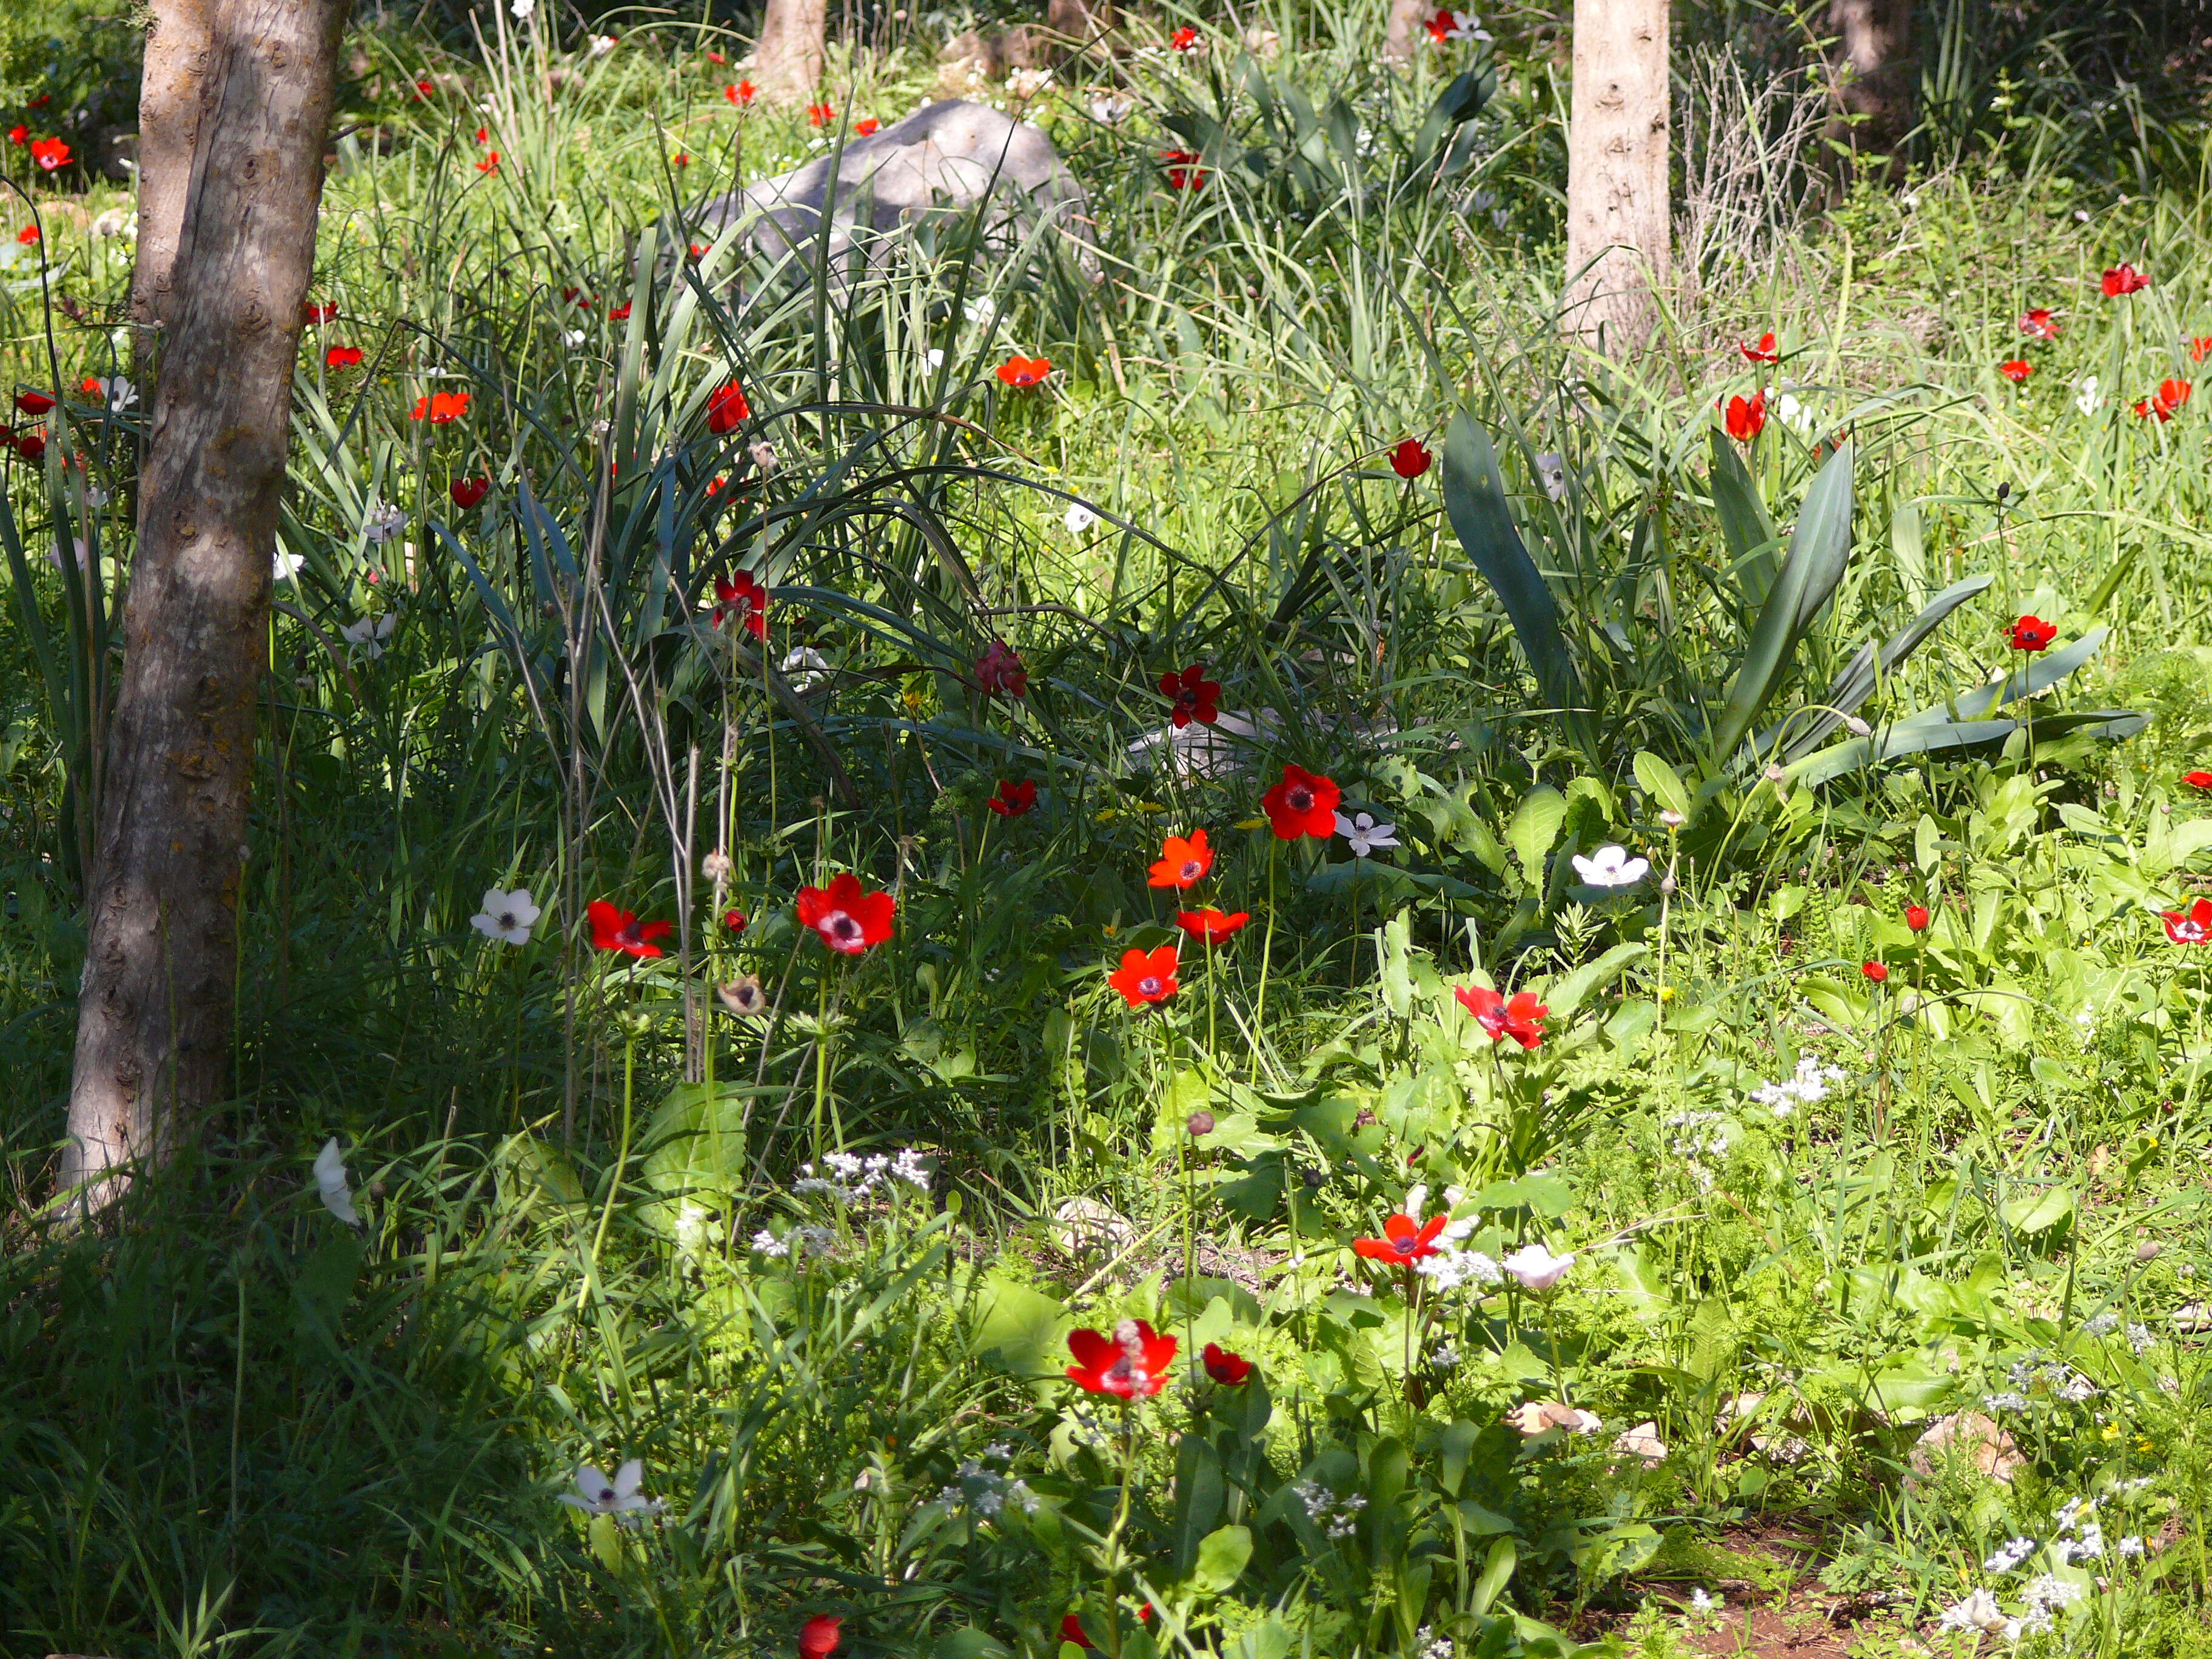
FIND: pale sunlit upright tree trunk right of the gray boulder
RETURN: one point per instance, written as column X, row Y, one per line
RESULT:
column 1616, row 171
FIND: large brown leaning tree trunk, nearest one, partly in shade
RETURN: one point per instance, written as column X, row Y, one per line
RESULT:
column 160, row 970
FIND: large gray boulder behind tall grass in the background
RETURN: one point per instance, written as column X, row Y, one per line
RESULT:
column 941, row 160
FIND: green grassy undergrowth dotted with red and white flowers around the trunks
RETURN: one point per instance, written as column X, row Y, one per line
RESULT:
column 1788, row 1227
